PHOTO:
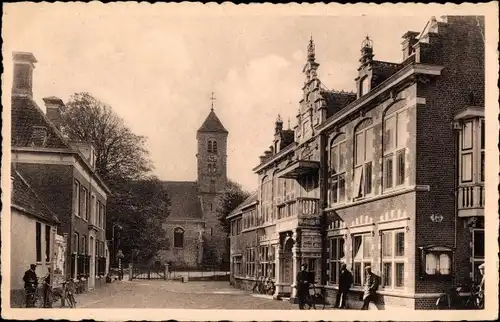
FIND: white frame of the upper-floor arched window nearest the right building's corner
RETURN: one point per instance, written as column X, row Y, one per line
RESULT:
column 391, row 153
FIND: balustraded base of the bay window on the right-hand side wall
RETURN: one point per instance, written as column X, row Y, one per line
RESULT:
column 471, row 200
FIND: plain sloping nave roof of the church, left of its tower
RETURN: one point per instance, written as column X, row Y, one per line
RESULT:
column 184, row 200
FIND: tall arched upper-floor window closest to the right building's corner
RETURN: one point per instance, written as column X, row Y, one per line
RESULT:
column 395, row 140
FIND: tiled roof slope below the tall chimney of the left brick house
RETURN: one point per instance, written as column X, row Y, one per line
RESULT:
column 26, row 115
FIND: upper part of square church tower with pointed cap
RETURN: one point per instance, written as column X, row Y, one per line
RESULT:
column 212, row 156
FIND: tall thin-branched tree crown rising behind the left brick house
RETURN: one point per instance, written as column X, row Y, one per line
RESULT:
column 120, row 154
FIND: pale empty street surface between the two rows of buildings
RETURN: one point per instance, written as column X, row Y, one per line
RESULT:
column 176, row 295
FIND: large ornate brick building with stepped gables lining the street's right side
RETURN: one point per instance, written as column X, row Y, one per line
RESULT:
column 391, row 176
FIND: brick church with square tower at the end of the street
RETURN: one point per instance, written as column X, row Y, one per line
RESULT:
column 197, row 239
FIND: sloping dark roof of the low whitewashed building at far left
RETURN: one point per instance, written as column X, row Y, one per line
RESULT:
column 28, row 201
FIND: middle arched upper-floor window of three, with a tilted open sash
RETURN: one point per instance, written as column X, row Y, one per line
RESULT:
column 360, row 175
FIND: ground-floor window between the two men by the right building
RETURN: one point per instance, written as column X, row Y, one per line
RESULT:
column 362, row 247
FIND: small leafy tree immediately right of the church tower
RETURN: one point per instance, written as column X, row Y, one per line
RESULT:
column 230, row 198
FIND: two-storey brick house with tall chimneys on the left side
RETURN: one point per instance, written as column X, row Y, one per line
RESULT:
column 63, row 174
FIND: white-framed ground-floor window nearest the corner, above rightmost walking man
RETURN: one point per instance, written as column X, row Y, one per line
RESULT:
column 392, row 258
